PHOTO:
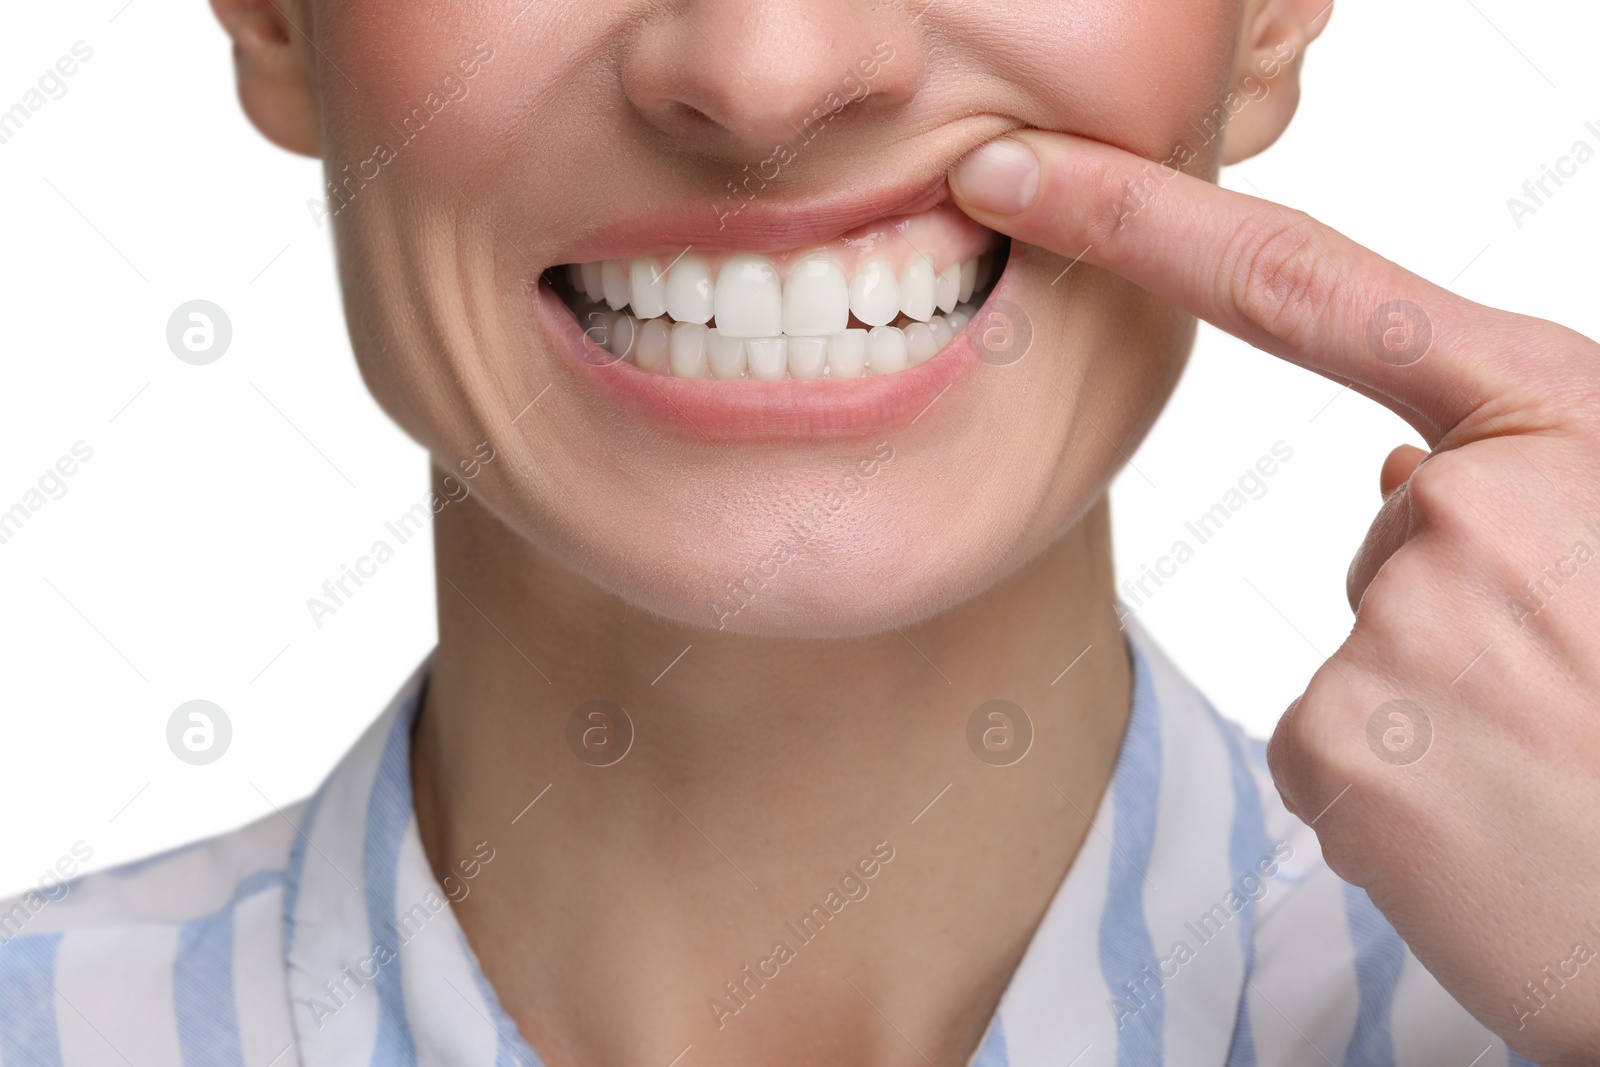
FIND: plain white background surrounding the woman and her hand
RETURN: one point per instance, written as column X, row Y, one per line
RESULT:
column 220, row 498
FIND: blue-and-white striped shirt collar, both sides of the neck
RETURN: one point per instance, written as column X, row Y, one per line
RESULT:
column 378, row 967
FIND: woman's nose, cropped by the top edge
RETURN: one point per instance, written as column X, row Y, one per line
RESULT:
column 742, row 76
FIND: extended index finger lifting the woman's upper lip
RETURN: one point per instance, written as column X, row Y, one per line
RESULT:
column 1266, row 274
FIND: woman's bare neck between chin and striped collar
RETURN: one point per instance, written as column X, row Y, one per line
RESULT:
column 754, row 773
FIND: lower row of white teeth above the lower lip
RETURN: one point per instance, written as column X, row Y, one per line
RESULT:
column 662, row 346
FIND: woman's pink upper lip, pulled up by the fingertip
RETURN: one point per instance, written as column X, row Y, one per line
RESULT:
column 772, row 222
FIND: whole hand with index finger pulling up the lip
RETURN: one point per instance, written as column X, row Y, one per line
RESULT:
column 1457, row 732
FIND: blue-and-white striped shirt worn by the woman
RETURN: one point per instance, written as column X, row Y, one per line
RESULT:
column 1198, row 927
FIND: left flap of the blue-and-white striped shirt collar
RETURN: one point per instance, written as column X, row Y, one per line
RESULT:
column 378, row 967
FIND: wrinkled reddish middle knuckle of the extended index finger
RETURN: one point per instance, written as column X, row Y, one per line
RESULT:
column 1278, row 276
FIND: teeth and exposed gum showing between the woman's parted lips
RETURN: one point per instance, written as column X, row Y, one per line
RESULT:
column 874, row 303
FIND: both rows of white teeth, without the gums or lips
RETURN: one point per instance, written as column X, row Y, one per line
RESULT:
column 767, row 327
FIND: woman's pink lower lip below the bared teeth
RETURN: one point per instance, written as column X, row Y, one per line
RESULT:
column 740, row 412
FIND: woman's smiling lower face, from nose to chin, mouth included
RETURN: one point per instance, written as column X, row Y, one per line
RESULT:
column 772, row 175
